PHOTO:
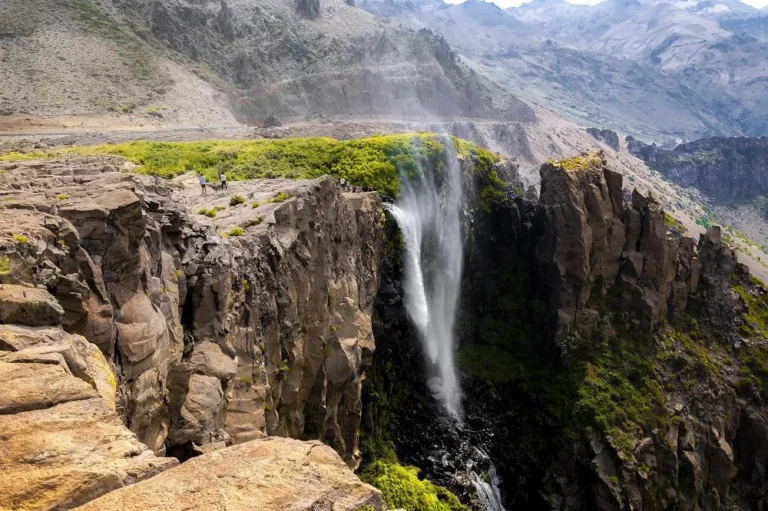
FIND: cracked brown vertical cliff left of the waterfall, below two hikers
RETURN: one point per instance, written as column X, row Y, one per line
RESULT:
column 213, row 338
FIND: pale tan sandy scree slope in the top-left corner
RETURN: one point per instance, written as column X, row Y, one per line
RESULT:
column 68, row 57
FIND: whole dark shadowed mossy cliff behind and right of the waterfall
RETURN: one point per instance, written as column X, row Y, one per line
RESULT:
column 612, row 362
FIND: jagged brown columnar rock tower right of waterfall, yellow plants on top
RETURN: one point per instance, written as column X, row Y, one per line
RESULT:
column 596, row 248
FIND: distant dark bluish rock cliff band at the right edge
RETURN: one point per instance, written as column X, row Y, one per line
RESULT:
column 725, row 169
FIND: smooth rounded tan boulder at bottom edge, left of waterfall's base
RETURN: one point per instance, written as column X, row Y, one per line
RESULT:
column 277, row 474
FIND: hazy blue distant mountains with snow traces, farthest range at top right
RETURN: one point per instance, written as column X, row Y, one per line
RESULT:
column 662, row 70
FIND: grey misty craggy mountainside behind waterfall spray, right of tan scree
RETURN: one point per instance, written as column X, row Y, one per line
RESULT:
column 283, row 57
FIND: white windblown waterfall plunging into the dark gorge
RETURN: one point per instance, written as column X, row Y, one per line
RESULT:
column 428, row 216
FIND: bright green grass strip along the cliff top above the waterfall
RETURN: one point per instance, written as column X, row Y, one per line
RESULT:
column 375, row 162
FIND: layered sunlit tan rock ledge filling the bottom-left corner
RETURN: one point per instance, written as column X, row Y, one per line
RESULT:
column 62, row 443
